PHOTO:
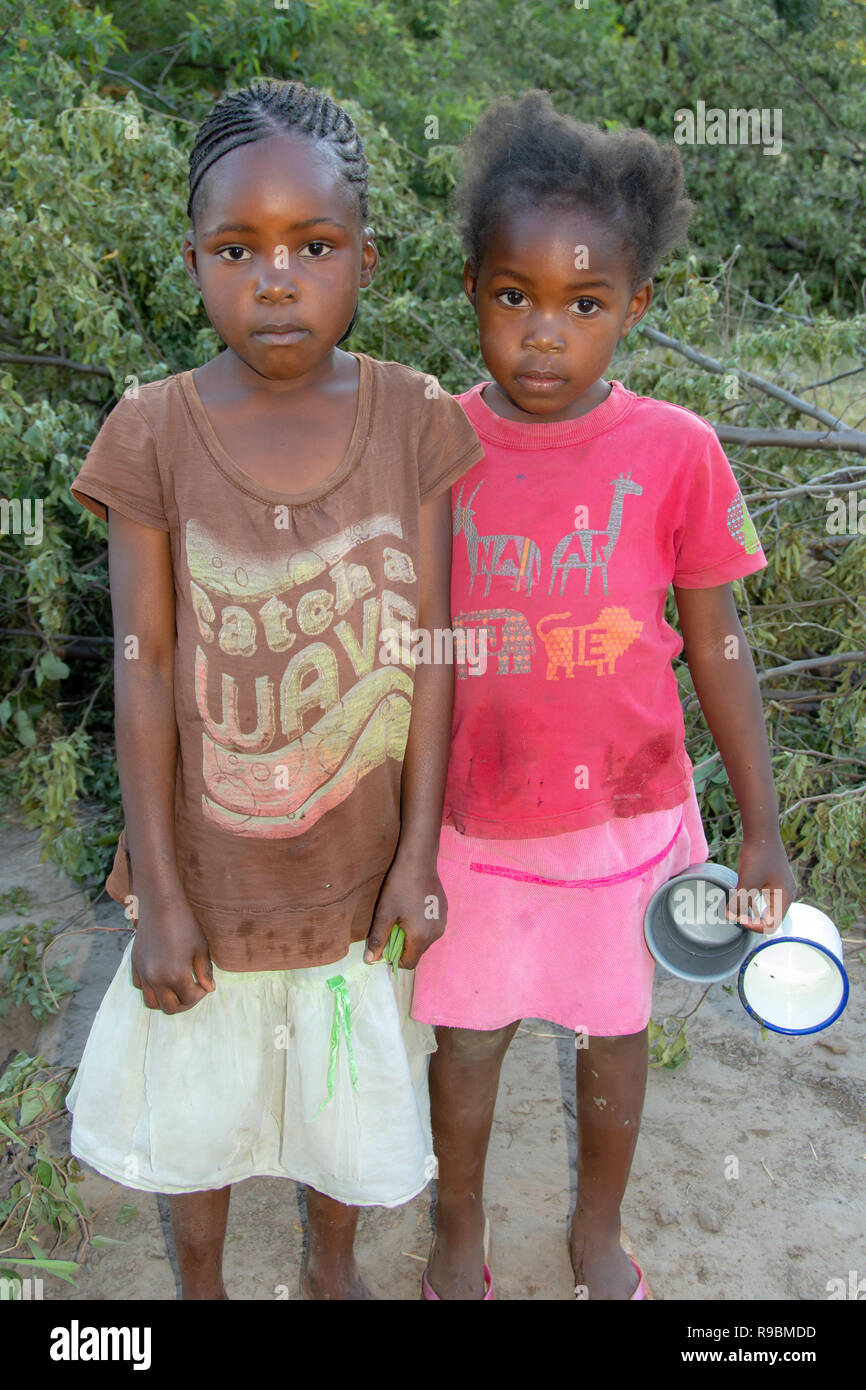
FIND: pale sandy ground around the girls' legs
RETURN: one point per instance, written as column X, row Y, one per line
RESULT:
column 790, row 1111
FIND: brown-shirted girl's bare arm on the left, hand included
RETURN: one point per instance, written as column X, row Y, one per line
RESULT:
column 147, row 733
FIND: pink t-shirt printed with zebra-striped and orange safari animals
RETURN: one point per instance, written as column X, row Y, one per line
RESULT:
column 568, row 537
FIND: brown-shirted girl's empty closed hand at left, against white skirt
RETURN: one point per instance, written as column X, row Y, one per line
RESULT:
column 169, row 947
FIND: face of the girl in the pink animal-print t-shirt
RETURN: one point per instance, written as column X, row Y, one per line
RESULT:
column 548, row 326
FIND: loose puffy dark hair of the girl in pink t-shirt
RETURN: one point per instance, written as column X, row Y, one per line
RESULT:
column 525, row 154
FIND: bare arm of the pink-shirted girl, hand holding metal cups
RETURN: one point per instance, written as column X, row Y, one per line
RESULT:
column 726, row 685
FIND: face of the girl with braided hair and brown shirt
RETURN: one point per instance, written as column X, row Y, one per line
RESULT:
column 279, row 241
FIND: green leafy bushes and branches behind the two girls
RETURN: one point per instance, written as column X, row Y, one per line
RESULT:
column 97, row 116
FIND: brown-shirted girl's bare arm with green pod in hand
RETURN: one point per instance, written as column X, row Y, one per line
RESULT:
column 412, row 892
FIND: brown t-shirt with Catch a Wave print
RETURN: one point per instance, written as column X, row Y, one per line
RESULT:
column 291, row 726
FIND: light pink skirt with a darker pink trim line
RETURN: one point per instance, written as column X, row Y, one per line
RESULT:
column 554, row 929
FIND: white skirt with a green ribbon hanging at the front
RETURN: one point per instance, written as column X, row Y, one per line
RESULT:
column 318, row 1075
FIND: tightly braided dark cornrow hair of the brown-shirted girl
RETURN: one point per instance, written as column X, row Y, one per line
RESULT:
column 269, row 108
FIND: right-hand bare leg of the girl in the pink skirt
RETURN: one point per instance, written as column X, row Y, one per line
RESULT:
column 611, row 1085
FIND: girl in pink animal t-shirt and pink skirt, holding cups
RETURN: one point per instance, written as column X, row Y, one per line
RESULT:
column 571, row 794
